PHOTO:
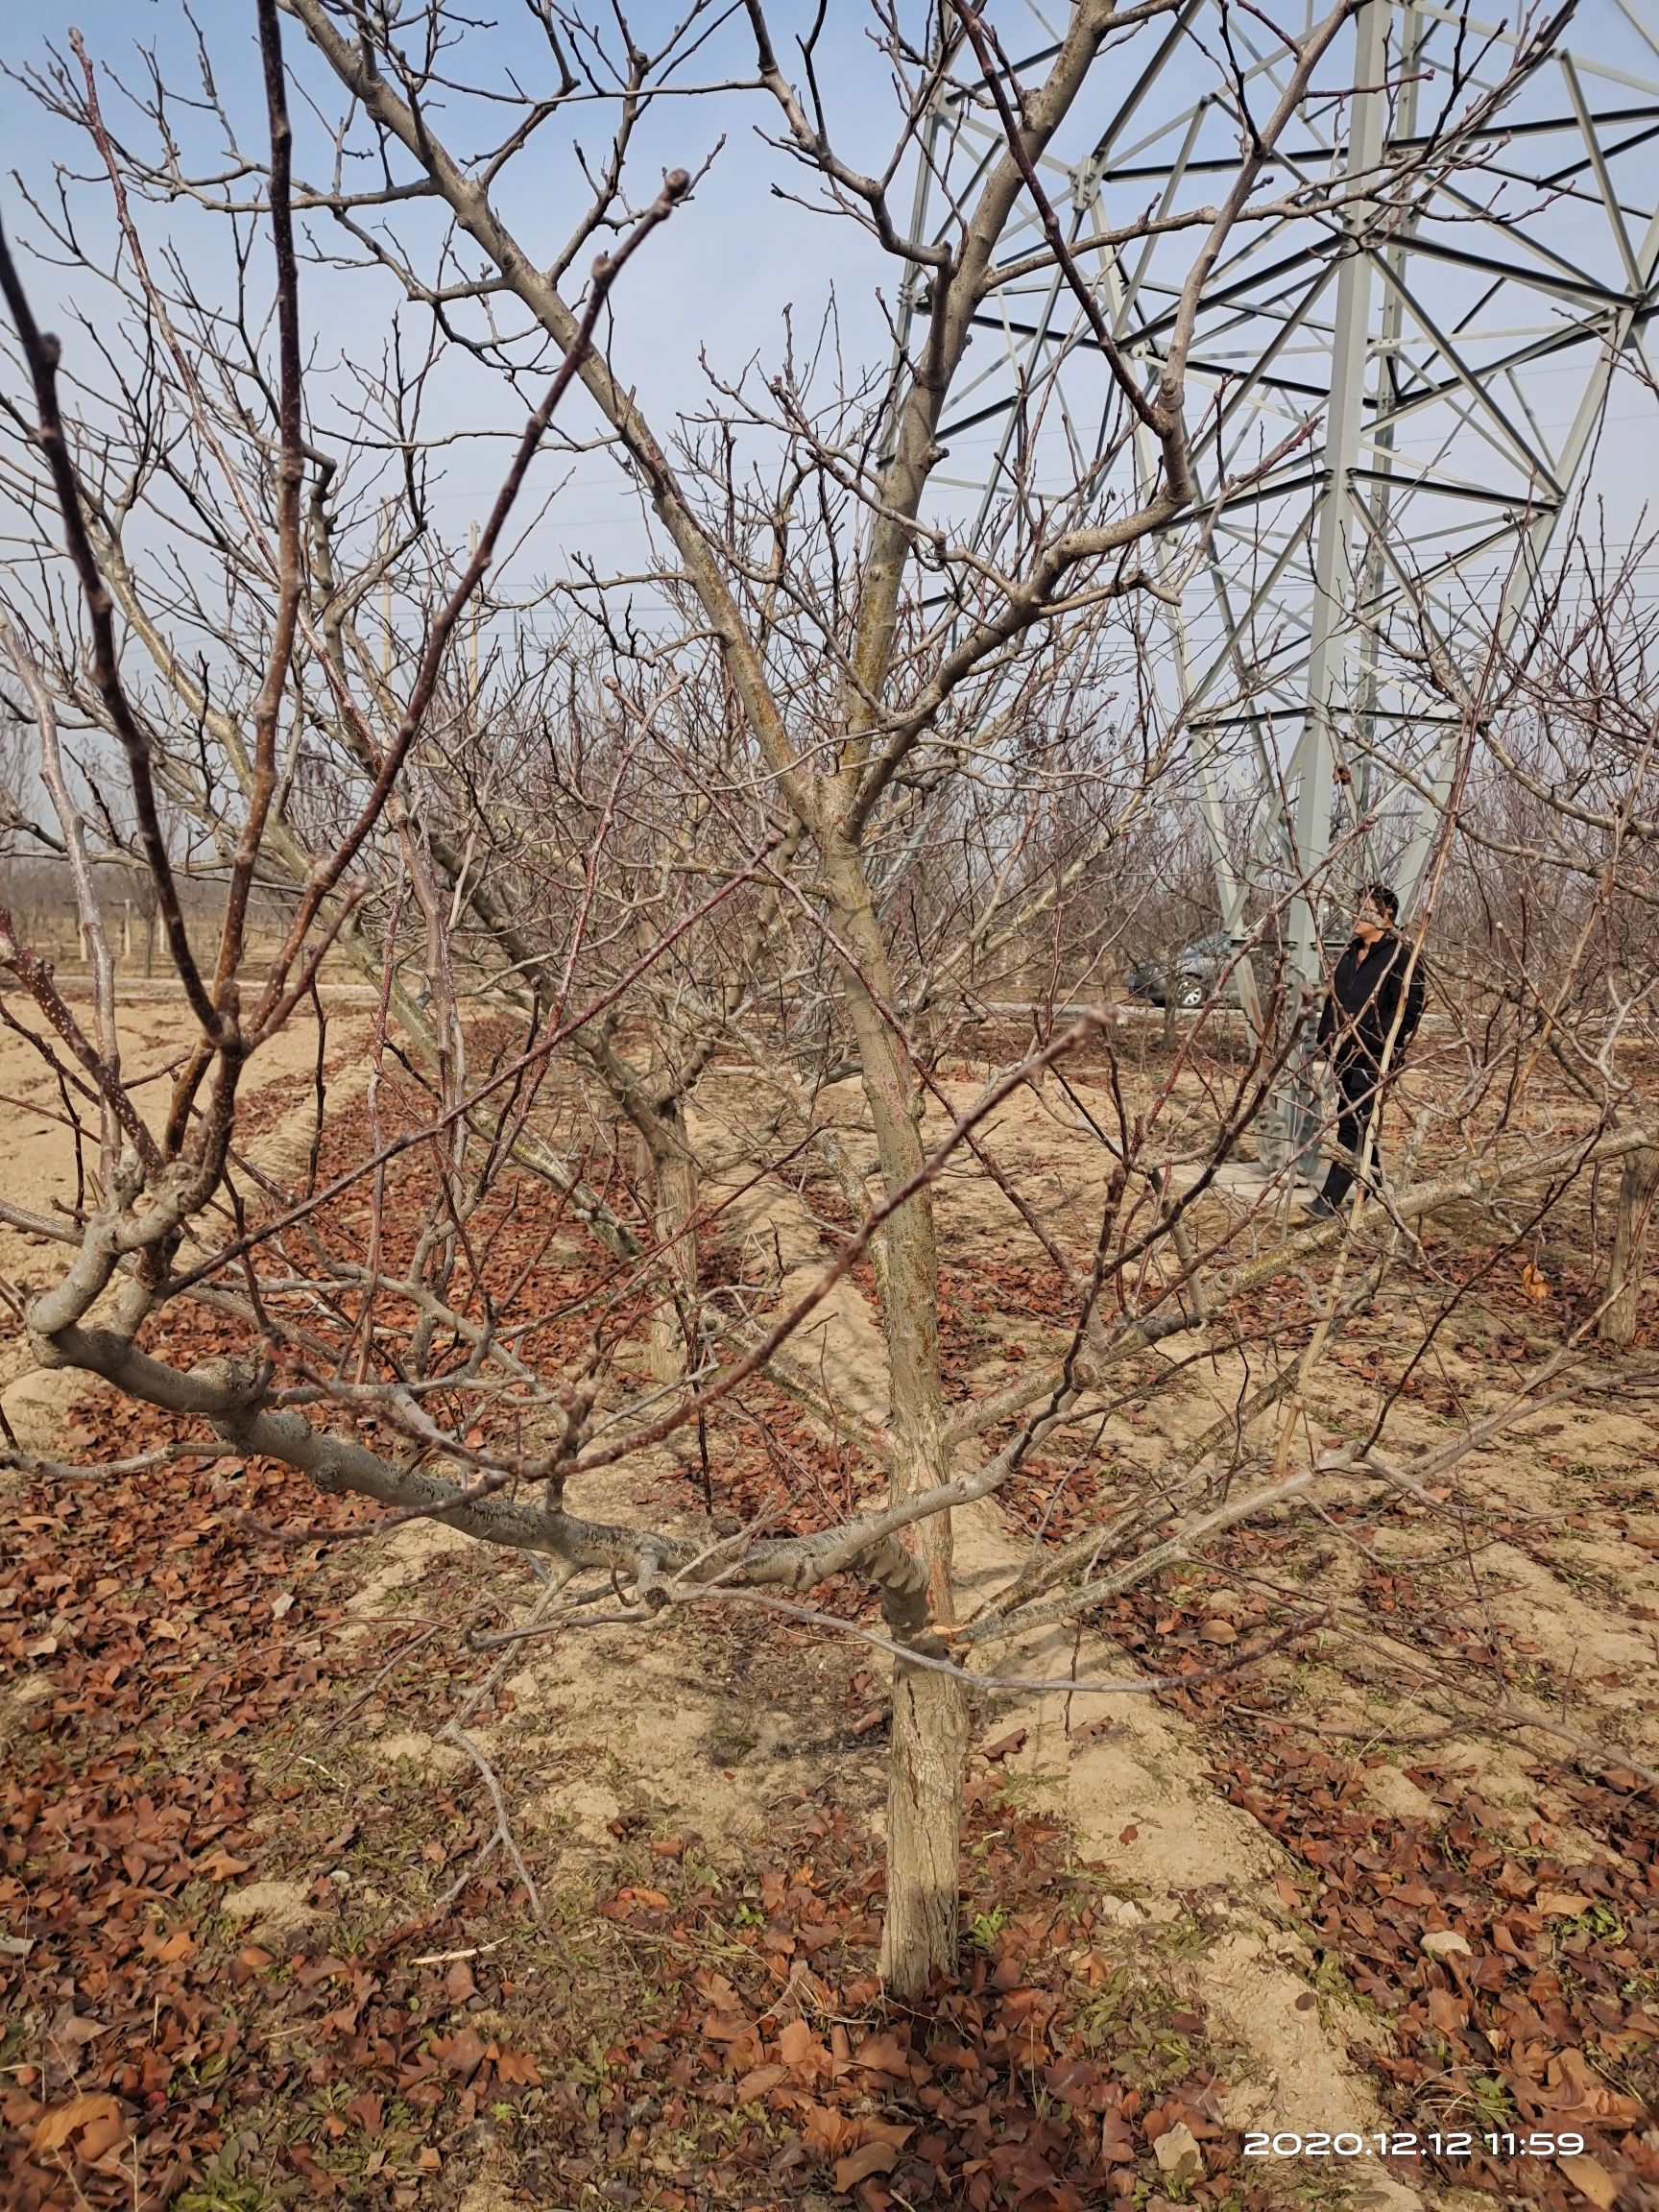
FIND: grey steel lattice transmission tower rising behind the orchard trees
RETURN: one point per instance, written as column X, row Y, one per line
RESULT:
column 1446, row 351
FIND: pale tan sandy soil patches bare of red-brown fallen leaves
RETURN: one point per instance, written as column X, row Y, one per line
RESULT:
column 671, row 1729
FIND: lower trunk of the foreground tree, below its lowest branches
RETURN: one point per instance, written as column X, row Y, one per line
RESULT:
column 924, row 1830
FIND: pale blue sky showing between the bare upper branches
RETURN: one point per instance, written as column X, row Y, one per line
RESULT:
column 718, row 284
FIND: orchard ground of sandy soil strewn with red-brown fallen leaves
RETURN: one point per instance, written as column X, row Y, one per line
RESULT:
column 271, row 1945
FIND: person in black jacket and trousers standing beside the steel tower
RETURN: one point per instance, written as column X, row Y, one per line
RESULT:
column 1375, row 1008
